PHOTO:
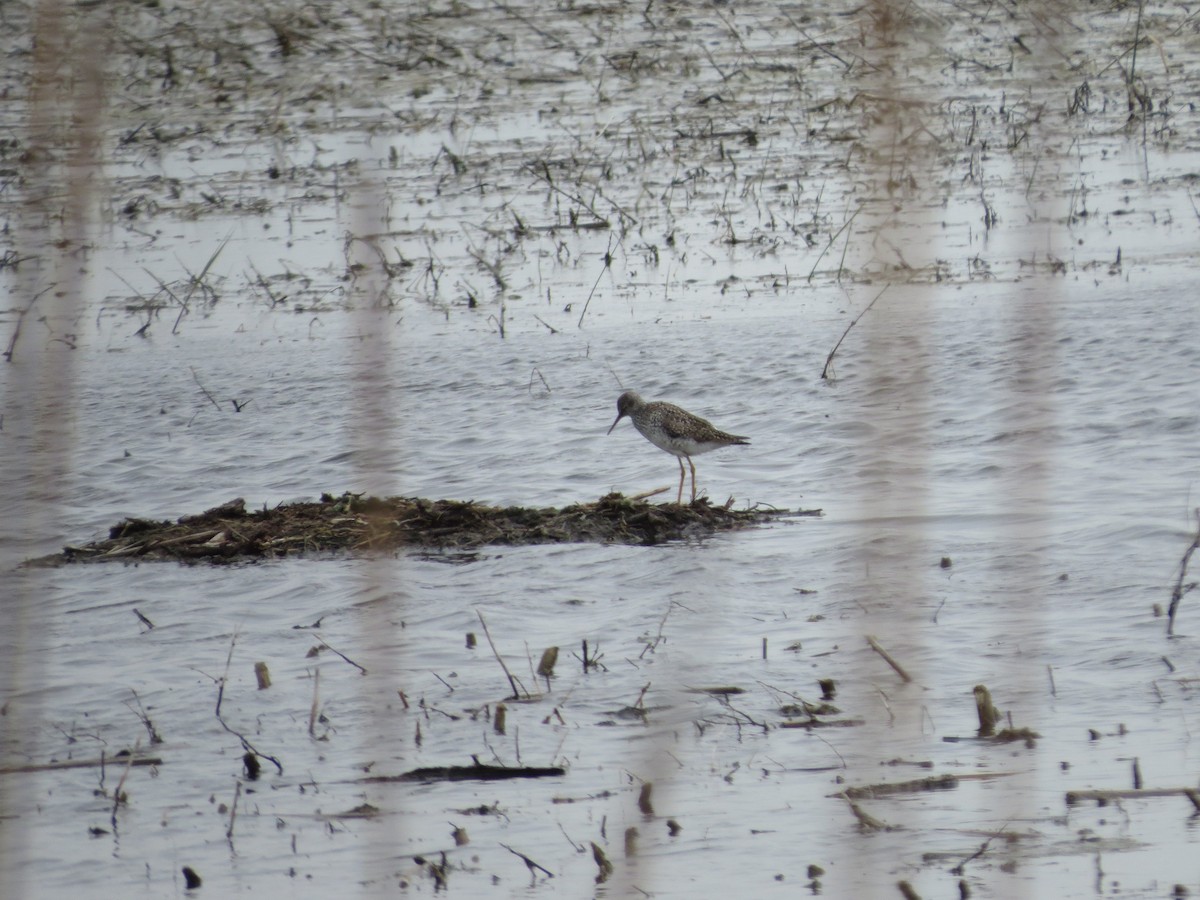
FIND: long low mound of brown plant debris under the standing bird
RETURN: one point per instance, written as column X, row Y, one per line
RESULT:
column 362, row 525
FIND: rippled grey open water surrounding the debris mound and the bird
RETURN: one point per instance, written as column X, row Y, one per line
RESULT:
column 1064, row 515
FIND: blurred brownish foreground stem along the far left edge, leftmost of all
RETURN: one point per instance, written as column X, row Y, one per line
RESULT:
column 59, row 121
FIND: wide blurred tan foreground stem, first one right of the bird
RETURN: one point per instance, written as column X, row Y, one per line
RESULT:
column 896, row 161
